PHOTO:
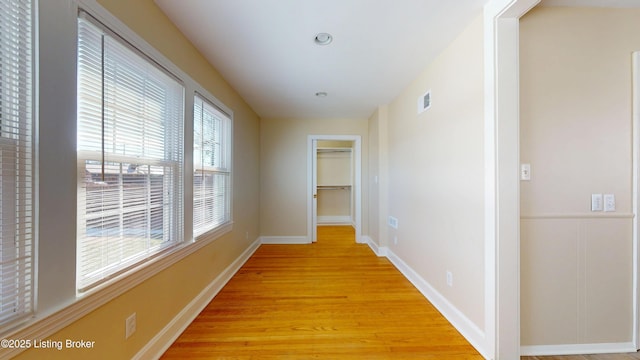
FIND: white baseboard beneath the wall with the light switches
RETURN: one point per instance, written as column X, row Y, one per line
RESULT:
column 577, row 349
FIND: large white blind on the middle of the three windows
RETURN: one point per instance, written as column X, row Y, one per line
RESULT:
column 130, row 160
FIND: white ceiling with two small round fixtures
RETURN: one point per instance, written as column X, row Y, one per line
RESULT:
column 265, row 48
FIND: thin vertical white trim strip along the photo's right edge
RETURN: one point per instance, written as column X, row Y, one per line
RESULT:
column 635, row 196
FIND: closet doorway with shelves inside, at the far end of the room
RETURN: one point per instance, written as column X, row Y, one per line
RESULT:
column 341, row 186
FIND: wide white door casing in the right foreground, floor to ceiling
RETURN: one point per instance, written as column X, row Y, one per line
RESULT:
column 502, row 208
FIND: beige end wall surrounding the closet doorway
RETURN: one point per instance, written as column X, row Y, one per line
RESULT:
column 283, row 180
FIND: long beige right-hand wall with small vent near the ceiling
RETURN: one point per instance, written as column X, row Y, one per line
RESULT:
column 436, row 172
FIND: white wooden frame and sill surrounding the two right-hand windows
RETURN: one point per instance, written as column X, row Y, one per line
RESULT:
column 59, row 303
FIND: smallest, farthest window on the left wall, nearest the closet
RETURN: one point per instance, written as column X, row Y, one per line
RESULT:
column 212, row 167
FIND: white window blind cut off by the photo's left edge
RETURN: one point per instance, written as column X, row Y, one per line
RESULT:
column 16, row 160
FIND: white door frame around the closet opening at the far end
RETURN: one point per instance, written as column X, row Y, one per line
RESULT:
column 312, row 210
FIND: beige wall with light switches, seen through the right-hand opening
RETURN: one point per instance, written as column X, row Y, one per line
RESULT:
column 576, row 117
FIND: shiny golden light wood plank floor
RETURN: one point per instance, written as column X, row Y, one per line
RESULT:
column 330, row 300
